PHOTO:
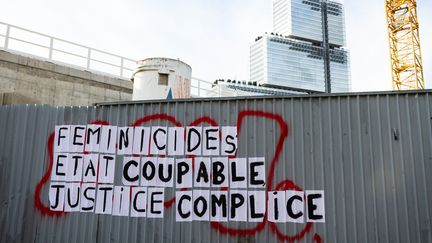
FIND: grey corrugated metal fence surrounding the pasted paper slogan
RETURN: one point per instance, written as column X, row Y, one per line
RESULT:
column 370, row 153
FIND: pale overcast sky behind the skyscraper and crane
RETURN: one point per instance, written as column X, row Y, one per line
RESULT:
column 212, row 36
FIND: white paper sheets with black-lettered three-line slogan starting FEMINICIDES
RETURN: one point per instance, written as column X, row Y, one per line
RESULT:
column 199, row 162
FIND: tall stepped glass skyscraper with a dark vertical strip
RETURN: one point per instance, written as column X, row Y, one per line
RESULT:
column 305, row 51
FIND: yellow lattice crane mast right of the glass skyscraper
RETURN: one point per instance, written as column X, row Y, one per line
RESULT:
column 404, row 41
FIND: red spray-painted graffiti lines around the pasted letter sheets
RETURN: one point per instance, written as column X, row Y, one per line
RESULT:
column 223, row 229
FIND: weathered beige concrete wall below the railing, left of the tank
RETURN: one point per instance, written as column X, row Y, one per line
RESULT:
column 25, row 80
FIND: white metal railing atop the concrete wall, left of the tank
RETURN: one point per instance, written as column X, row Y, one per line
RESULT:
column 26, row 41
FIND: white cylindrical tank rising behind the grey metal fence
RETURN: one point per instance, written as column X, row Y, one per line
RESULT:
column 161, row 78
